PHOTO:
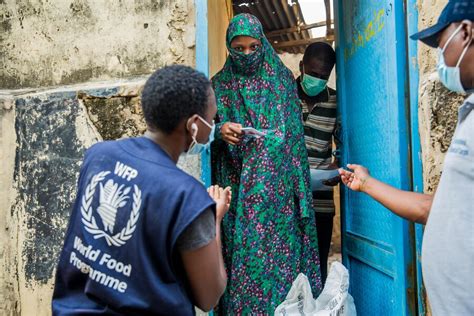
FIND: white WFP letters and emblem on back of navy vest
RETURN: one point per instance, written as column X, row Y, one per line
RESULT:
column 112, row 200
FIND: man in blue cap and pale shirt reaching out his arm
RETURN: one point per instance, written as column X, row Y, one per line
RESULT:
column 448, row 243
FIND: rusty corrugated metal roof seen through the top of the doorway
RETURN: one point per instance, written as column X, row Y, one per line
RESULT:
column 277, row 15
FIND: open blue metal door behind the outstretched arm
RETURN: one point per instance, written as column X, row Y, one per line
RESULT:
column 373, row 96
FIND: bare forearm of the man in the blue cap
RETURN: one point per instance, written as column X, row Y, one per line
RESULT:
column 409, row 205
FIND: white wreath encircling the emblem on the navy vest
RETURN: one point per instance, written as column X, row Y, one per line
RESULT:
column 90, row 223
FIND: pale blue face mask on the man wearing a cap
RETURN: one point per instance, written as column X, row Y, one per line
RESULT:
column 450, row 77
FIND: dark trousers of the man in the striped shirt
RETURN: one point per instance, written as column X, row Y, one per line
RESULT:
column 324, row 224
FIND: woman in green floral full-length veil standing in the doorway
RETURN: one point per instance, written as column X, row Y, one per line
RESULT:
column 269, row 233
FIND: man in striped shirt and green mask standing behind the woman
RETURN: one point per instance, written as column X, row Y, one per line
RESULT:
column 319, row 108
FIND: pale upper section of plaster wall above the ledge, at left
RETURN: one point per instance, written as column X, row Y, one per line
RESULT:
column 44, row 43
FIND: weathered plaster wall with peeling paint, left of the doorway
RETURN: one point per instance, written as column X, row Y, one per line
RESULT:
column 45, row 124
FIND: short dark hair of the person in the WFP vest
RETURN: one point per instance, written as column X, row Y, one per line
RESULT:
column 174, row 93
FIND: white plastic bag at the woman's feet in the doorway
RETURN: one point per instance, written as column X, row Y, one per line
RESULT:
column 333, row 300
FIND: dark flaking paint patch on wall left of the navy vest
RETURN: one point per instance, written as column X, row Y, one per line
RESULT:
column 45, row 175
